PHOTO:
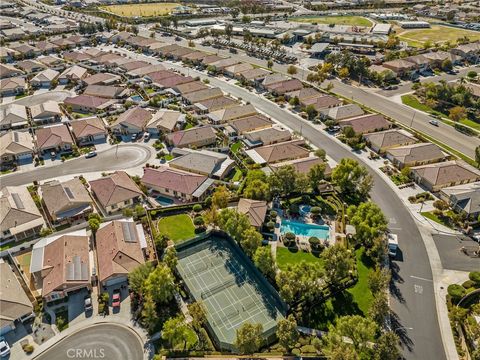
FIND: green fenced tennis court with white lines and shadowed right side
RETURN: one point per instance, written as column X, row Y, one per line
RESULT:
column 217, row 273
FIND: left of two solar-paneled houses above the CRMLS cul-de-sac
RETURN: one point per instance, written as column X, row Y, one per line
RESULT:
column 61, row 264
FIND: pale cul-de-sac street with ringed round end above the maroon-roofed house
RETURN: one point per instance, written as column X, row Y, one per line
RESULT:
column 127, row 156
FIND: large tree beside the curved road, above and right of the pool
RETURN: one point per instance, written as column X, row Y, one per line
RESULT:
column 352, row 178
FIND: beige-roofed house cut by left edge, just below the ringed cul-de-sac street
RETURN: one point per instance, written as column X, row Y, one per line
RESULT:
column 19, row 216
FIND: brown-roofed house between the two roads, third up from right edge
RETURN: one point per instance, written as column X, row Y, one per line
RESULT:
column 415, row 155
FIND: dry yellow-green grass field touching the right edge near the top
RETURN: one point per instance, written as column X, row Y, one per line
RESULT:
column 437, row 33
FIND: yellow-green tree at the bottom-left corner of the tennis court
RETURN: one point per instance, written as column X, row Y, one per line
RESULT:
column 178, row 334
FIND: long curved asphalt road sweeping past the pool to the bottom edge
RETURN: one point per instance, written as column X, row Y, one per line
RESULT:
column 412, row 301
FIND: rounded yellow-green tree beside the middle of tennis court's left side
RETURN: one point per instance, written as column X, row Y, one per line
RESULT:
column 160, row 284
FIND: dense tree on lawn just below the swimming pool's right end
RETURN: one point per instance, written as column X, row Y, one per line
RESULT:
column 338, row 262
